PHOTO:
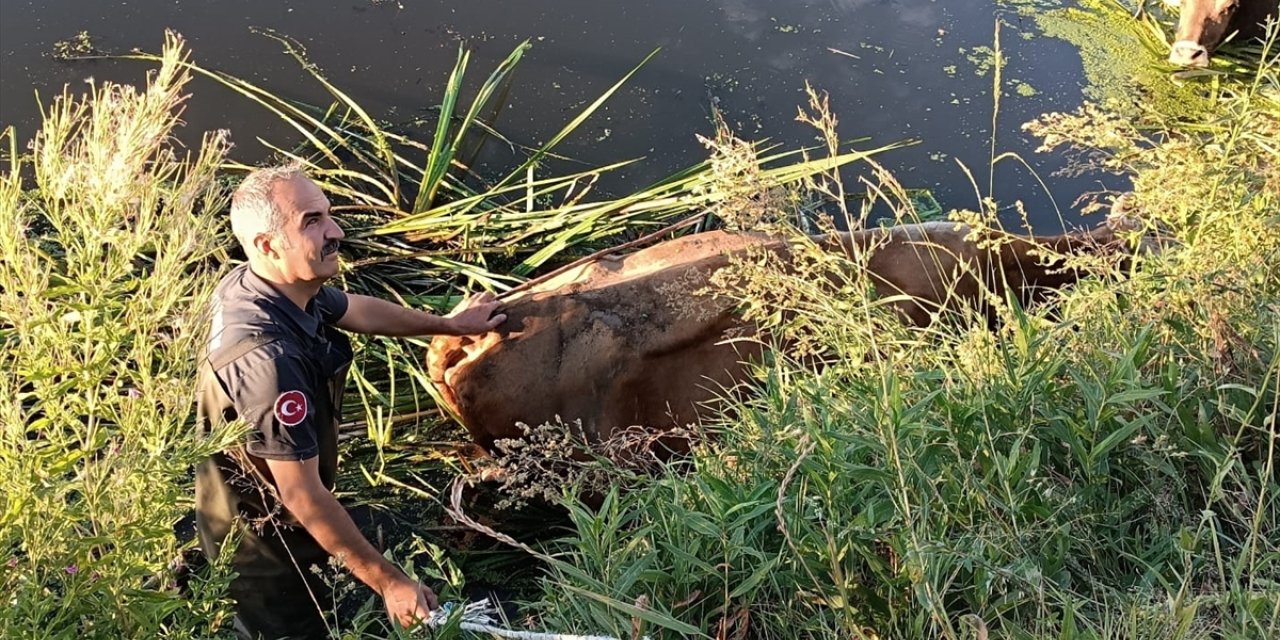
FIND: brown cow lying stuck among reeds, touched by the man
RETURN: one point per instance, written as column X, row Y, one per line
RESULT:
column 628, row 341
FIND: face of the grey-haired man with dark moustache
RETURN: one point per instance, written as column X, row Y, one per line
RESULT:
column 307, row 249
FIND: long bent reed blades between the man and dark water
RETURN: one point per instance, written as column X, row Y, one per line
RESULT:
column 423, row 227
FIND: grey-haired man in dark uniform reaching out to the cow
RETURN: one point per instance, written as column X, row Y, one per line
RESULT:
column 277, row 362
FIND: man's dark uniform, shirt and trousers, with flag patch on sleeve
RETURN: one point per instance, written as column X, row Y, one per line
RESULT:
column 282, row 371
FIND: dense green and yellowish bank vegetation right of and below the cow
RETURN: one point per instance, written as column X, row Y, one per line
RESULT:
column 1105, row 470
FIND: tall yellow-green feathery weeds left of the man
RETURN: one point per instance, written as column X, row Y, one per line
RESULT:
column 107, row 232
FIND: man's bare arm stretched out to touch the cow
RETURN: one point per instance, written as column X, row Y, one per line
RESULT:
column 377, row 317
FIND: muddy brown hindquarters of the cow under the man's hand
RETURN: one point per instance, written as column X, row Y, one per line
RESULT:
column 621, row 341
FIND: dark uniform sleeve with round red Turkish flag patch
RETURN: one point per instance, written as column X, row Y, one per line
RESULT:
column 277, row 397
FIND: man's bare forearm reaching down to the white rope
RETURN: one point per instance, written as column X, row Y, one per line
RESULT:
column 321, row 514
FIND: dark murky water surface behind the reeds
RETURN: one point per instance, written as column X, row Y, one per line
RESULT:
column 895, row 70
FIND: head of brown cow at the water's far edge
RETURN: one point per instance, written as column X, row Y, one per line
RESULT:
column 1204, row 25
